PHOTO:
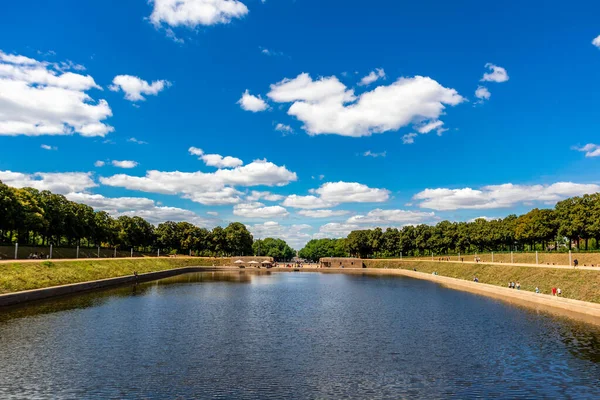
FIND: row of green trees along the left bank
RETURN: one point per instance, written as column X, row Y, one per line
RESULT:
column 32, row 217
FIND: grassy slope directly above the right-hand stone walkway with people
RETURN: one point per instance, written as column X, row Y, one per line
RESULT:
column 575, row 284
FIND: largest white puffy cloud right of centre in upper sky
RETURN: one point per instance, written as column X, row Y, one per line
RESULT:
column 327, row 106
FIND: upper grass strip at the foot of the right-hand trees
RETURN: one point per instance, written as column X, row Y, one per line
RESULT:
column 529, row 258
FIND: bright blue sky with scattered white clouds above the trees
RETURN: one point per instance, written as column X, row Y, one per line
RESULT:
column 411, row 143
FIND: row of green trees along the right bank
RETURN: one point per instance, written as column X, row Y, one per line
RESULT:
column 574, row 221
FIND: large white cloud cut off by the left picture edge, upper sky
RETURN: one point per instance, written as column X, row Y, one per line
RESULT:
column 38, row 98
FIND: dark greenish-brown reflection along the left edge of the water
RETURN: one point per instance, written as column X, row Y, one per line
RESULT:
column 101, row 296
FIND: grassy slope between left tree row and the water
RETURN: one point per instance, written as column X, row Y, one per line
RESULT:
column 15, row 277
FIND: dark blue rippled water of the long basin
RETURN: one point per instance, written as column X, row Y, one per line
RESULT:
column 292, row 335
